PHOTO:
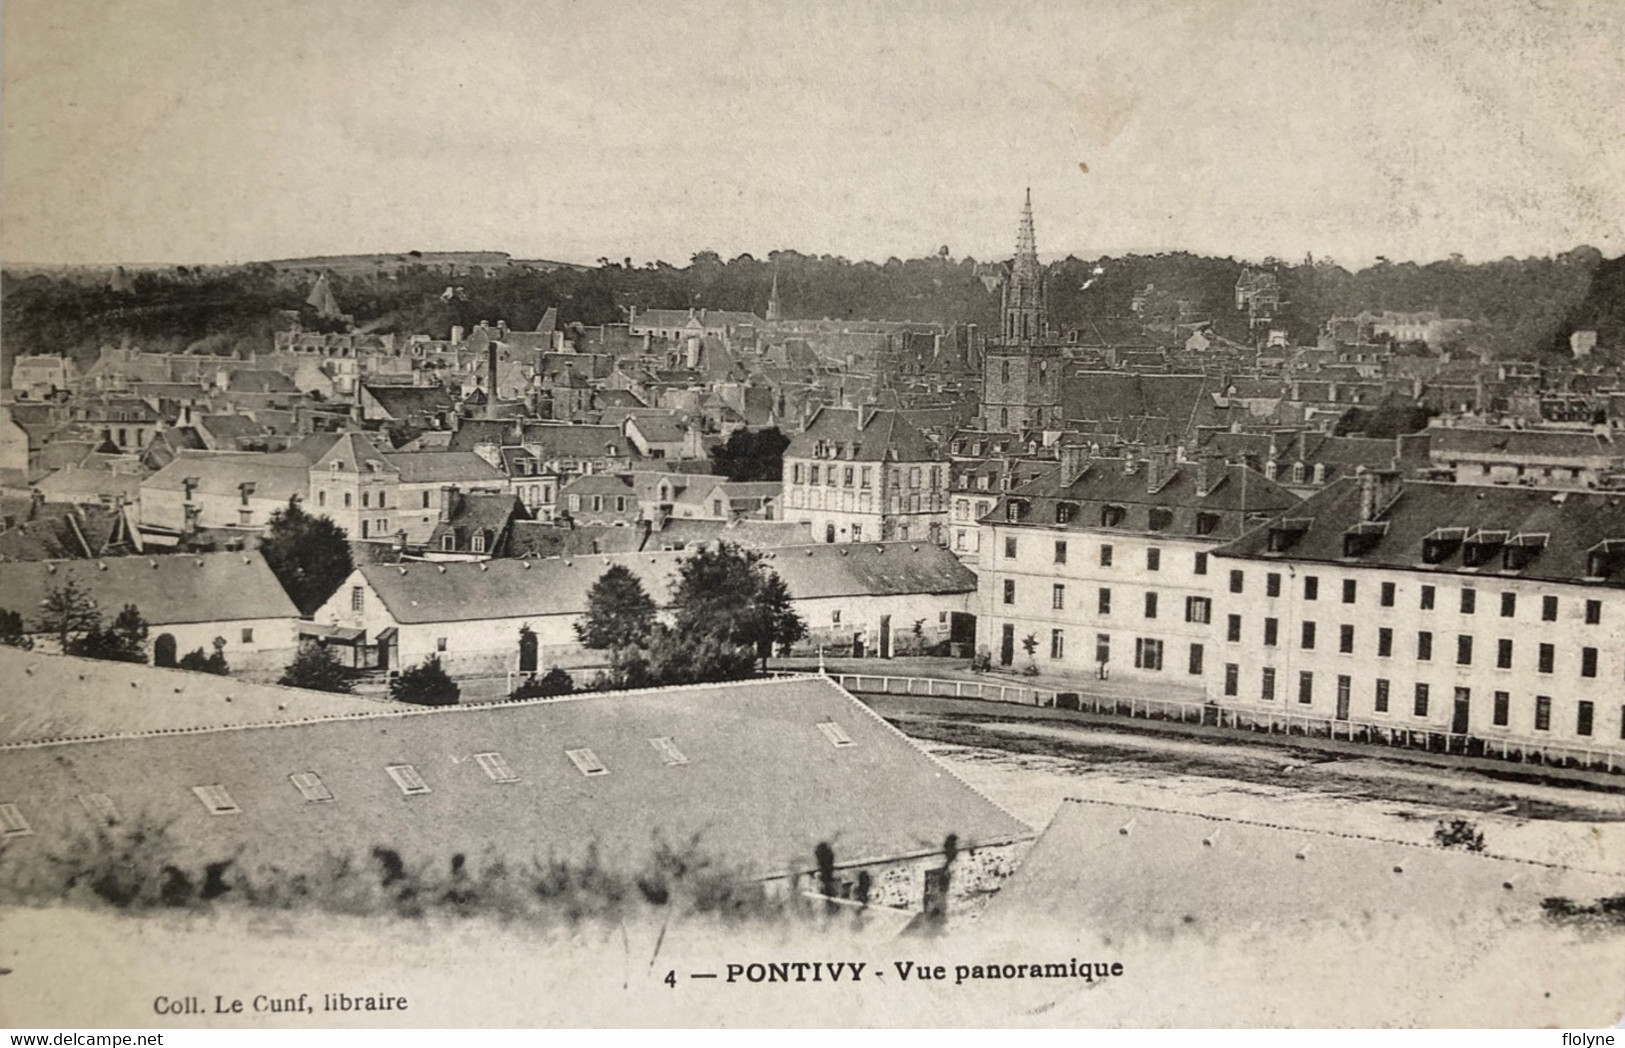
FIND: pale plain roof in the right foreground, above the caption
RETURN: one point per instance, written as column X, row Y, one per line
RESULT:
column 1143, row 872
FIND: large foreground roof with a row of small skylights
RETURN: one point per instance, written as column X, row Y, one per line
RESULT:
column 880, row 799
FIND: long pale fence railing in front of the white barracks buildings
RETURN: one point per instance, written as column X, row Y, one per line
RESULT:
column 1215, row 716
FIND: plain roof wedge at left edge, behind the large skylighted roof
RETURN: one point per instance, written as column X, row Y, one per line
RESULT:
column 64, row 698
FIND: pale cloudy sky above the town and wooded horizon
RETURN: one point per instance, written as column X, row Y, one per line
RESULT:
column 232, row 131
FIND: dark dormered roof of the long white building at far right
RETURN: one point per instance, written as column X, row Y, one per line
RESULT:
column 1574, row 524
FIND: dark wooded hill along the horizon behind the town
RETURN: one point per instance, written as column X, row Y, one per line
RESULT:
column 1520, row 306
